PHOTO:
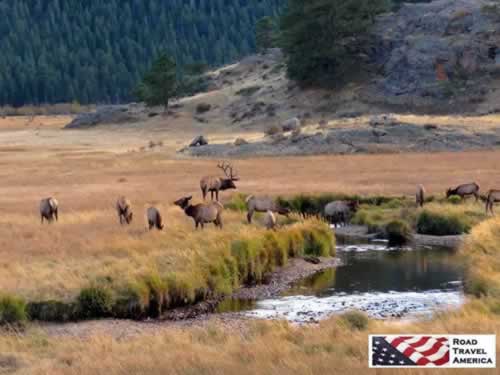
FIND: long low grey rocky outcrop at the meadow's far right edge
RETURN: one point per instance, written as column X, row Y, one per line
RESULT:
column 382, row 138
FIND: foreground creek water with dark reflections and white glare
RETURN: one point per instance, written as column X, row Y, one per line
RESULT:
column 383, row 282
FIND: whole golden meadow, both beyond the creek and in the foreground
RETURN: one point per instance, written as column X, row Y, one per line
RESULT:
column 88, row 171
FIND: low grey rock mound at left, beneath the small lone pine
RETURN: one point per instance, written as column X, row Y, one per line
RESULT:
column 112, row 114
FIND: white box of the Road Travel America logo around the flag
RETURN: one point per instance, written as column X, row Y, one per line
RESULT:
column 466, row 351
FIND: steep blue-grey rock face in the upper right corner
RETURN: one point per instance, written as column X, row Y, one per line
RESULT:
column 425, row 45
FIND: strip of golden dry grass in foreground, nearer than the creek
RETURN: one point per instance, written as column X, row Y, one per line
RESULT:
column 257, row 348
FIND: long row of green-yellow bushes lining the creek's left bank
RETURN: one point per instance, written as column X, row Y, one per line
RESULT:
column 244, row 261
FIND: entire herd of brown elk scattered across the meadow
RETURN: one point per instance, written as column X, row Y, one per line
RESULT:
column 336, row 212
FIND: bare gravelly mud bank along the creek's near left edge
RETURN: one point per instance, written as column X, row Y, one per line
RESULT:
column 199, row 315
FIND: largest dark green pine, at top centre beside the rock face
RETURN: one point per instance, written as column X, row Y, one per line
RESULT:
column 322, row 38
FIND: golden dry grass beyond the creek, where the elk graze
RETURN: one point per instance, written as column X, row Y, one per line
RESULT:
column 55, row 260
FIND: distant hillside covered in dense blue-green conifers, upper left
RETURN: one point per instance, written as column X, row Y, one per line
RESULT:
column 95, row 52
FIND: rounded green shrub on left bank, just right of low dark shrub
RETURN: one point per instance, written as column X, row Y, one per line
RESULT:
column 95, row 302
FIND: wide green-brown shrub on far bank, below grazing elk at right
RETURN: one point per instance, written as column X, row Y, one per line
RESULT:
column 441, row 224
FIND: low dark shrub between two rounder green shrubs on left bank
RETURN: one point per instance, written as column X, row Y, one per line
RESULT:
column 52, row 311
